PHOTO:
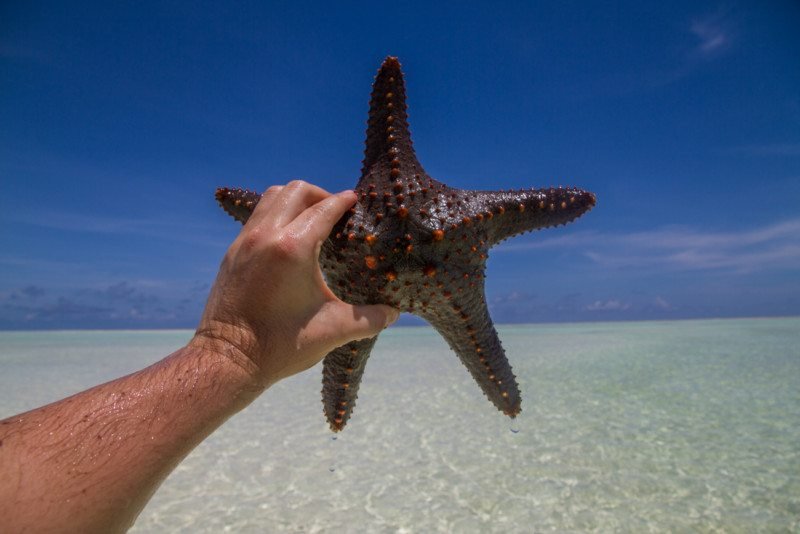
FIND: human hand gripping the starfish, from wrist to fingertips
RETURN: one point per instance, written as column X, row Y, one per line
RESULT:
column 270, row 311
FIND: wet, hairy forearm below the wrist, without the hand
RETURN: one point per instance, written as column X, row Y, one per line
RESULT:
column 90, row 462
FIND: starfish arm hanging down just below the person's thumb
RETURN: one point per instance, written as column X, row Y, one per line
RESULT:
column 342, row 370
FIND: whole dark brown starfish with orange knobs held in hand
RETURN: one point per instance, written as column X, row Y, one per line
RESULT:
column 416, row 244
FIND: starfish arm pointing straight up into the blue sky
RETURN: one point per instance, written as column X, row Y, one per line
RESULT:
column 388, row 135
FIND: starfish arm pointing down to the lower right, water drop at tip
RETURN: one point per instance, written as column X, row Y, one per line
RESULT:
column 468, row 329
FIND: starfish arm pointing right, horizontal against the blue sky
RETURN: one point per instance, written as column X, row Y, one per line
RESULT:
column 504, row 214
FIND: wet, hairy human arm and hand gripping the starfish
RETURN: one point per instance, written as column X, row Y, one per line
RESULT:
column 90, row 462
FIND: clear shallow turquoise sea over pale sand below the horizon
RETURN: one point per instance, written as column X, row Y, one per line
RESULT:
column 676, row 426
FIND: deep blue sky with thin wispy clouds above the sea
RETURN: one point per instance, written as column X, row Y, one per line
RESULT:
column 118, row 121
